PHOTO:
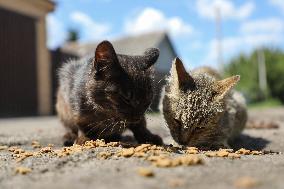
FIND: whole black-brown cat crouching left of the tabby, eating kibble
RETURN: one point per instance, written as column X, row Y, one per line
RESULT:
column 102, row 95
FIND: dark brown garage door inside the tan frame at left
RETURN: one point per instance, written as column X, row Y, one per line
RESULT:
column 18, row 78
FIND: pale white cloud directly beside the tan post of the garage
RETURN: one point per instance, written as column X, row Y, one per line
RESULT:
column 56, row 34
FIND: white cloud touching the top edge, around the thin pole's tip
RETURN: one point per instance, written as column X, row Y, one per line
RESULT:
column 207, row 9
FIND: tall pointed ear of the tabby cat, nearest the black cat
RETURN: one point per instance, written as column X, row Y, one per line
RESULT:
column 181, row 77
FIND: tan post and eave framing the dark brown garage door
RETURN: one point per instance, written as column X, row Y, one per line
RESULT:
column 37, row 9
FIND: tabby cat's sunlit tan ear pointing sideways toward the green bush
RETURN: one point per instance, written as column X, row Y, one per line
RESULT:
column 224, row 86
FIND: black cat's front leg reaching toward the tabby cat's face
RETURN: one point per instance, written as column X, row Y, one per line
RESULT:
column 142, row 134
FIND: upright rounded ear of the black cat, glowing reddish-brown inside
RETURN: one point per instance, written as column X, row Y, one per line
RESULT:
column 105, row 52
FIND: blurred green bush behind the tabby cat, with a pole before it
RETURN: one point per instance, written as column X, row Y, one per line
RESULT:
column 247, row 67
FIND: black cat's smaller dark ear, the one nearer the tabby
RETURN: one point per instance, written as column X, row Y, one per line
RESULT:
column 150, row 56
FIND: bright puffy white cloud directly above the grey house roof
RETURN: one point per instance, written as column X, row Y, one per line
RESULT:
column 151, row 19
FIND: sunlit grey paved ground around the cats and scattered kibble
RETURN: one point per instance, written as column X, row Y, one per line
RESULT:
column 84, row 170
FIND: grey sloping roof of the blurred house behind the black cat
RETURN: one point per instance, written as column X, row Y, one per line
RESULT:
column 131, row 45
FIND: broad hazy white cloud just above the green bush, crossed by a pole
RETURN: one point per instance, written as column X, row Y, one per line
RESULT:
column 253, row 34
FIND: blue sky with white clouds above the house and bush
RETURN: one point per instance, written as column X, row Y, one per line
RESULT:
column 246, row 24
